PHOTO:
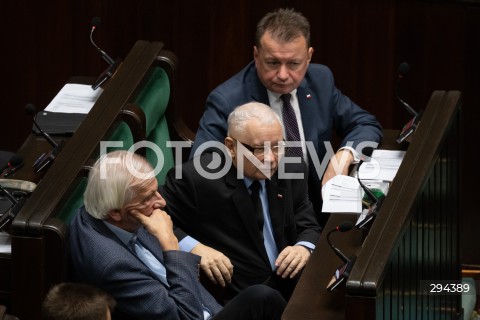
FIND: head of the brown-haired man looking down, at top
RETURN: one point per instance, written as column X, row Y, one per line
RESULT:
column 282, row 50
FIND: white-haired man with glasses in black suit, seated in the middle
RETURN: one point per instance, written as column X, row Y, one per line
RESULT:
column 246, row 206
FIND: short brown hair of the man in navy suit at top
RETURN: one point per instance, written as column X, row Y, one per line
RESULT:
column 284, row 25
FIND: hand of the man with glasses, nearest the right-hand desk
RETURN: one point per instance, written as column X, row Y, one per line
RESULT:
column 291, row 261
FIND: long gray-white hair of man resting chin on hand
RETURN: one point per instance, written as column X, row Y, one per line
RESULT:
column 112, row 184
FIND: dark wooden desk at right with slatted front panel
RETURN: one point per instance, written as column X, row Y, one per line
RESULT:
column 412, row 244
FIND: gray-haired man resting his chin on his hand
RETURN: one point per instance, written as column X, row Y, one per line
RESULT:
column 122, row 242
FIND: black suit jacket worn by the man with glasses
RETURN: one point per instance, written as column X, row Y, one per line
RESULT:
column 220, row 214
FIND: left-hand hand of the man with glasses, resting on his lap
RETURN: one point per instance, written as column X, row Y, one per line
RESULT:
column 215, row 264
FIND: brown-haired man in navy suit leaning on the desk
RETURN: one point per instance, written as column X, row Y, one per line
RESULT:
column 281, row 66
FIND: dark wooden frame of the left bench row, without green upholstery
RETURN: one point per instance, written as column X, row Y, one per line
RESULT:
column 39, row 246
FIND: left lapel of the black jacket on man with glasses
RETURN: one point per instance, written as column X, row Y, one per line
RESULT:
column 244, row 206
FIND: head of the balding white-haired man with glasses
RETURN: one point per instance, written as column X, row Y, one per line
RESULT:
column 255, row 140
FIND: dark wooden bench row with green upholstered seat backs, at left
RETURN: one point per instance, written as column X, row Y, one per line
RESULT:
column 136, row 105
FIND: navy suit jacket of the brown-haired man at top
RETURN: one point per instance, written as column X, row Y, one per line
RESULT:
column 324, row 110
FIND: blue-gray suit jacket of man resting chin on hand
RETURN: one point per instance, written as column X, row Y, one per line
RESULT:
column 101, row 259
